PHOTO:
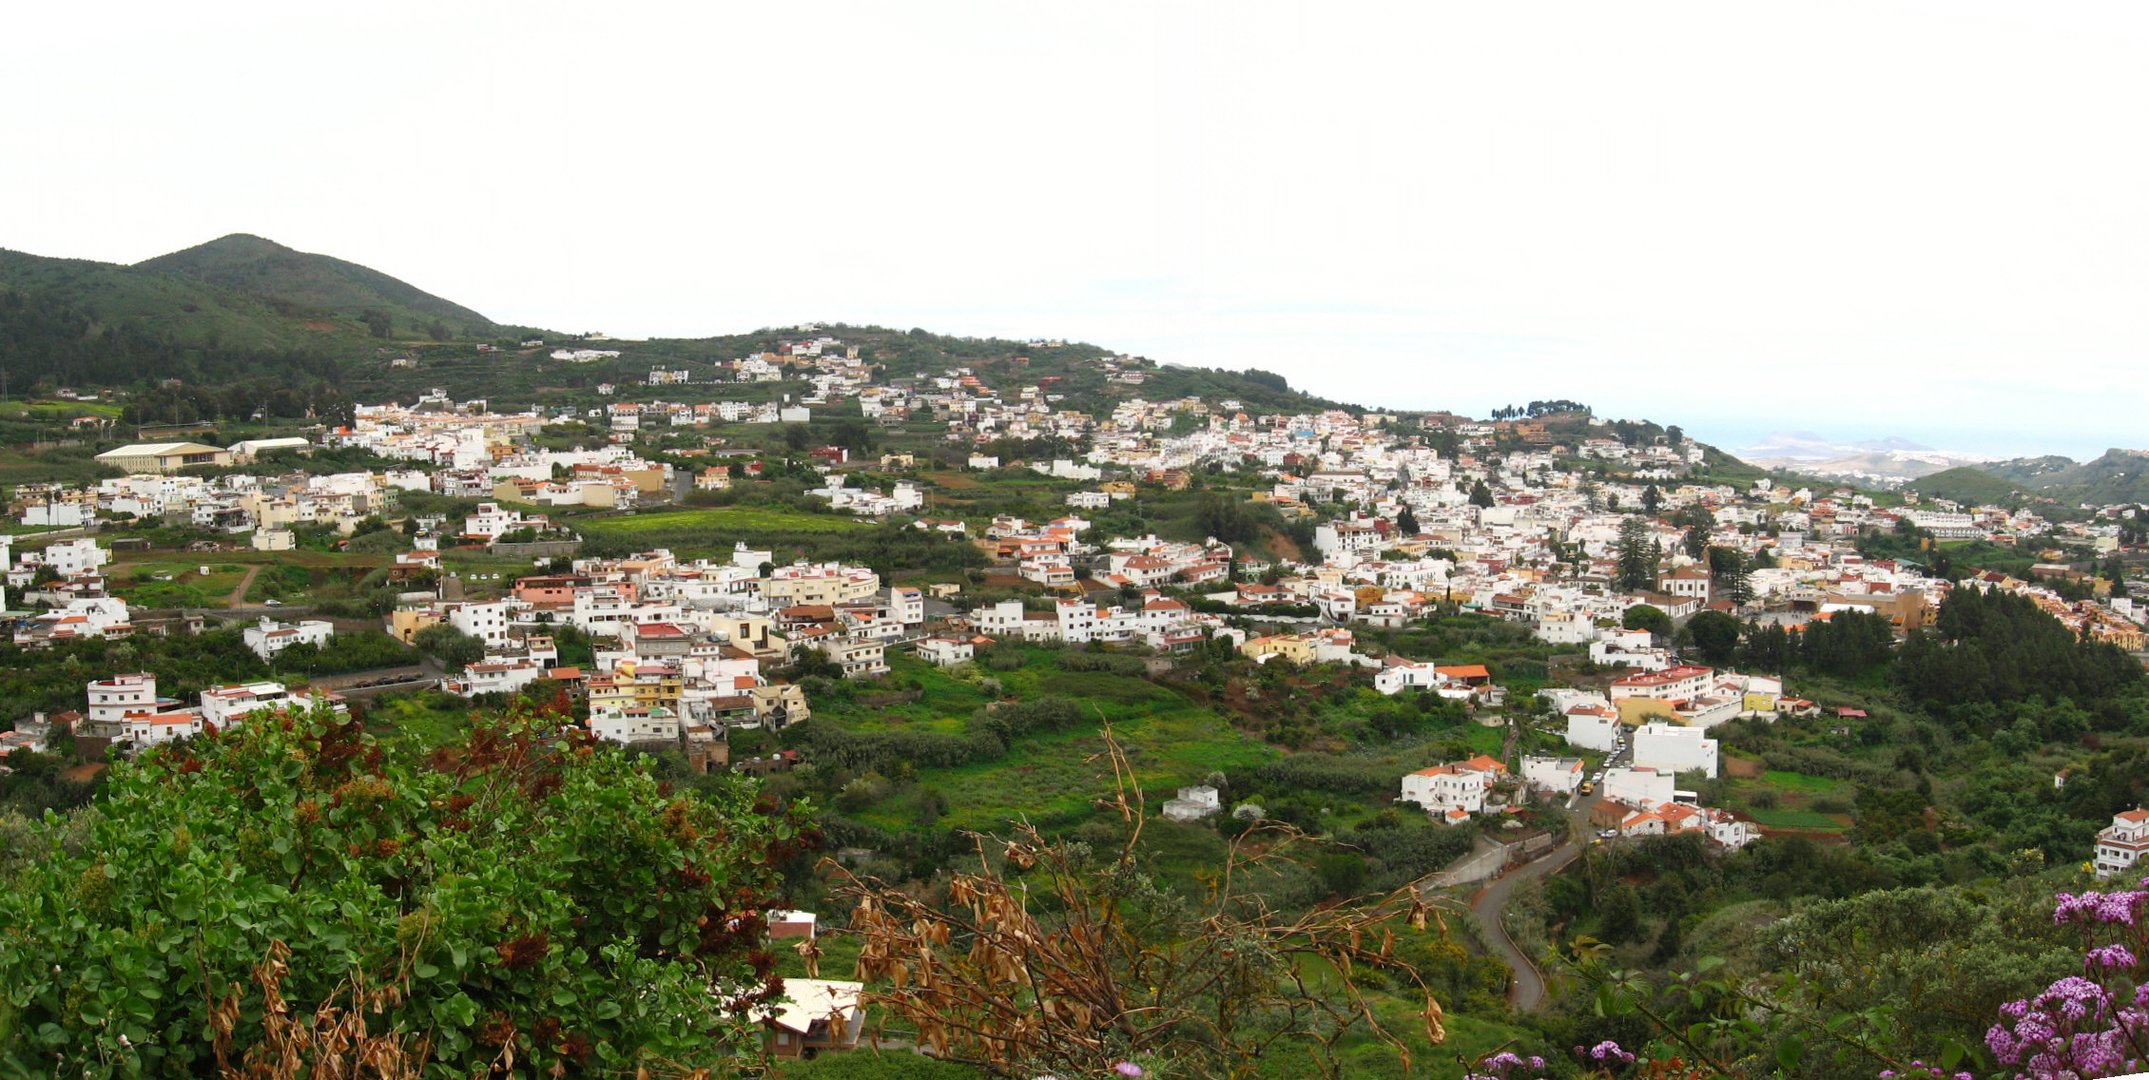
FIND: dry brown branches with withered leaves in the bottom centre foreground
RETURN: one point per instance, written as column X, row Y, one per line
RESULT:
column 1054, row 959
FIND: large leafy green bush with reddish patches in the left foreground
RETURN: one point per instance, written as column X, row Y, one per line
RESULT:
column 528, row 899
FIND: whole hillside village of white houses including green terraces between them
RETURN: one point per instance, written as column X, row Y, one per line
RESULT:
column 502, row 566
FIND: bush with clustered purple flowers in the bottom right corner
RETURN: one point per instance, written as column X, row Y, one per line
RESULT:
column 2096, row 1023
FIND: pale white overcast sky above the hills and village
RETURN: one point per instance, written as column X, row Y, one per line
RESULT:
column 1860, row 220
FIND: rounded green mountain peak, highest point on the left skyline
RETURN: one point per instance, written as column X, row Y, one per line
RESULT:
column 313, row 287
